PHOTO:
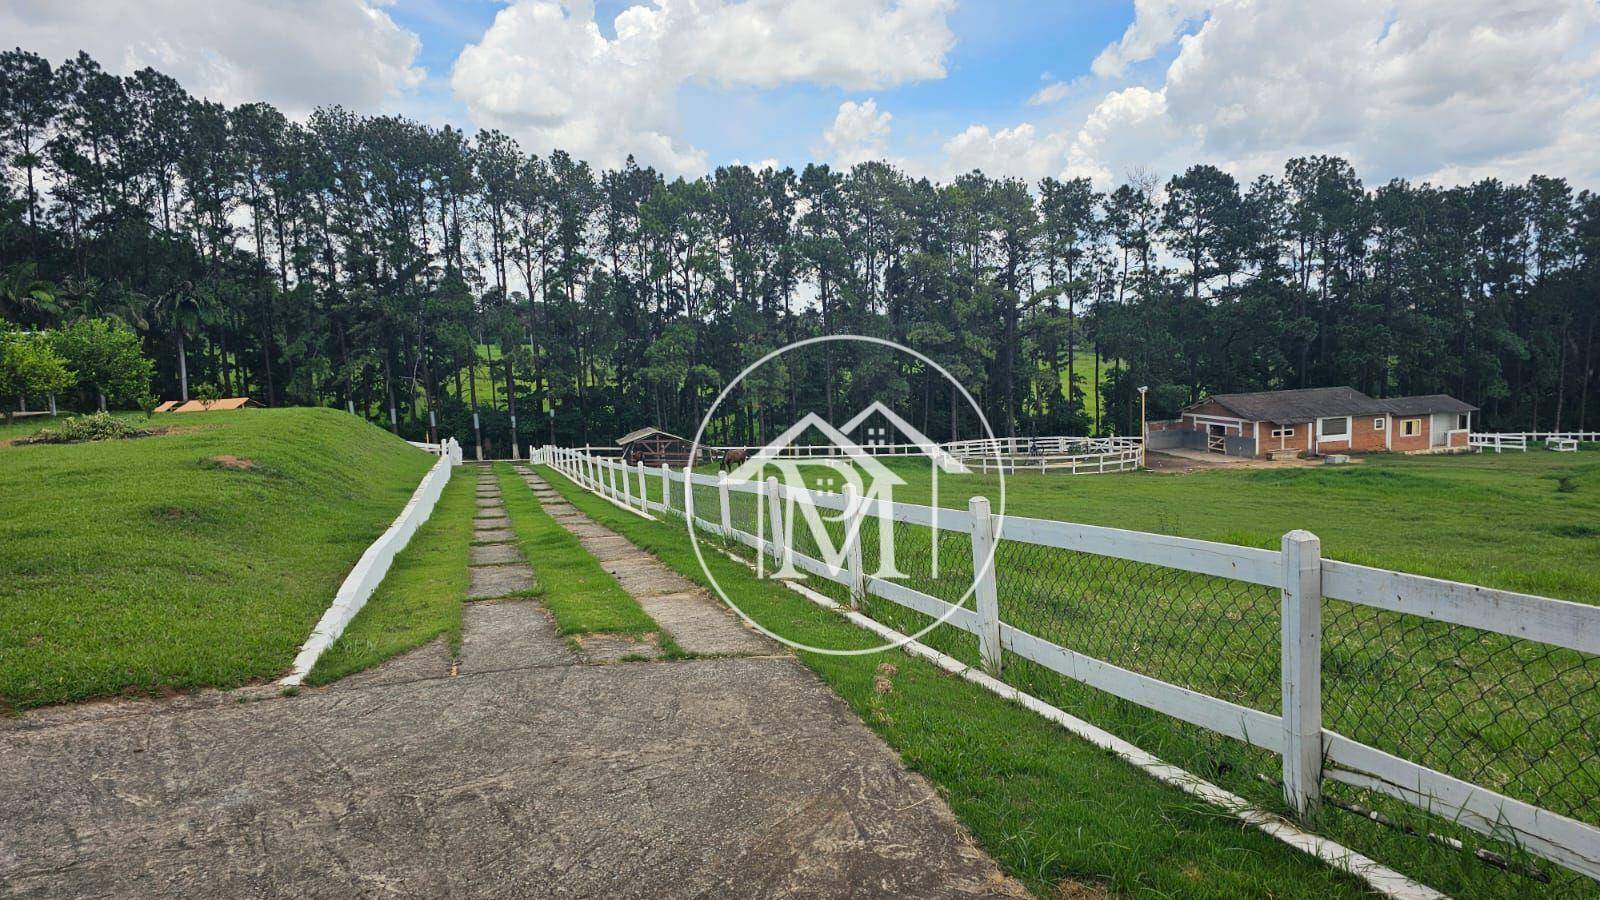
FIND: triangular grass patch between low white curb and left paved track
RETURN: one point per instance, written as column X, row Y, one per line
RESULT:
column 420, row 598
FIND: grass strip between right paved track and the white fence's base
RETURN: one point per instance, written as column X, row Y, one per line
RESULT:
column 1050, row 808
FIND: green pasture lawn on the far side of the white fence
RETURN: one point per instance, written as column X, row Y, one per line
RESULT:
column 1490, row 710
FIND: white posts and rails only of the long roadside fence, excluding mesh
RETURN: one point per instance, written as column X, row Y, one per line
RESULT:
column 1297, row 571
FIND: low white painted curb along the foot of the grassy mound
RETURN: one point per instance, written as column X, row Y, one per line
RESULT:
column 370, row 571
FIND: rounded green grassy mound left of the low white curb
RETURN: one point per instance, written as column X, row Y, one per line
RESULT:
column 196, row 558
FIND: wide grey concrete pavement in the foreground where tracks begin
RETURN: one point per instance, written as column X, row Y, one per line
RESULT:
column 527, row 774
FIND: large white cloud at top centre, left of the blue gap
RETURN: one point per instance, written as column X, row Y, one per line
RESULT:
column 548, row 74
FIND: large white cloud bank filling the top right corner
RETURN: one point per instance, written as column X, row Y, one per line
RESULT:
column 1447, row 90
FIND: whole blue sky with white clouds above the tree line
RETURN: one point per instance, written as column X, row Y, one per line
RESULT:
column 1402, row 89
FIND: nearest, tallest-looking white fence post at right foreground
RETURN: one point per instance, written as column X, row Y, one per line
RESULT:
column 1302, row 621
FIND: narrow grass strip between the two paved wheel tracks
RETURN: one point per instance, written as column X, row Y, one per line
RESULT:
column 583, row 597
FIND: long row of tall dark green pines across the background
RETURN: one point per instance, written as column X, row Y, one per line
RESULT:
column 420, row 275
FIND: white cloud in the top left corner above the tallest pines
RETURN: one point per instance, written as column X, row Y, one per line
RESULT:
column 297, row 55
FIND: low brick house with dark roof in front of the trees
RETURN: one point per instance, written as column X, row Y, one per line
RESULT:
column 1316, row 422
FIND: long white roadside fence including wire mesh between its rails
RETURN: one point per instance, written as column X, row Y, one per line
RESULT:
column 1474, row 704
